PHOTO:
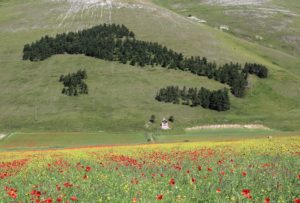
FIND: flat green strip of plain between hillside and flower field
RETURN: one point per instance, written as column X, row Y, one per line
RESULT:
column 57, row 140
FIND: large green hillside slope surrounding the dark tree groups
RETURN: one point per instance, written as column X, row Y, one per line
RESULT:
column 121, row 97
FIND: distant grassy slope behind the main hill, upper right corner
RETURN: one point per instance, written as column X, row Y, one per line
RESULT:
column 274, row 24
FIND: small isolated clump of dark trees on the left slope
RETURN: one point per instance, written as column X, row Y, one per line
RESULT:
column 74, row 84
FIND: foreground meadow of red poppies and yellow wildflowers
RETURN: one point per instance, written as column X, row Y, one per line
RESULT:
column 240, row 171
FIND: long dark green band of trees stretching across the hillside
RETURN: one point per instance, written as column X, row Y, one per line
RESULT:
column 118, row 43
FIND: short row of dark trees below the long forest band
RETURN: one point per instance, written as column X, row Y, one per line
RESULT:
column 216, row 100
